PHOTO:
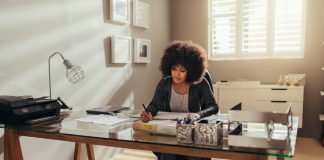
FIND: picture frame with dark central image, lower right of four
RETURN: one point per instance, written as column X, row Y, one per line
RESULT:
column 142, row 51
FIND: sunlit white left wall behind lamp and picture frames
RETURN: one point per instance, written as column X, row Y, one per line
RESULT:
column 31, row 30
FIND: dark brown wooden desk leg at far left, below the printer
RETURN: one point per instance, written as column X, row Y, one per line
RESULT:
column 12, row 146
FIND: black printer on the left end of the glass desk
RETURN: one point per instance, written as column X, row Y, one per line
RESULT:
column 26, row 109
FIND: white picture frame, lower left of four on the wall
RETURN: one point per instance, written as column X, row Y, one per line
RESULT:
column 121, row 49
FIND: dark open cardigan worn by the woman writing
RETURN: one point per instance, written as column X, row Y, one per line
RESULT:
column 201, row 99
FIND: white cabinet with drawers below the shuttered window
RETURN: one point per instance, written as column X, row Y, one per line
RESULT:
column 260, row 97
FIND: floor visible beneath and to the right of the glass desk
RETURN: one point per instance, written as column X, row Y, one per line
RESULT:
column 306, row 149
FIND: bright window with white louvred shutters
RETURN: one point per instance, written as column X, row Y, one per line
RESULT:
column 250, row 29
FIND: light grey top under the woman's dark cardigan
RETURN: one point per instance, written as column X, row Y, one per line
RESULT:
column 179, row 102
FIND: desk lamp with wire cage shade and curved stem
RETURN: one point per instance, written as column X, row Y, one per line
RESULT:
column 73, row 73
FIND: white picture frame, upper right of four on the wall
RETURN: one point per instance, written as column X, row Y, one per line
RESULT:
column 141, row 14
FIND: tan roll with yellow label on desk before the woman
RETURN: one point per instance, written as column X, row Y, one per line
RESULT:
column 167, row 127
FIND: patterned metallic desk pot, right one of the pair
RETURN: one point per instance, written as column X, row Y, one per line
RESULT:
column 208, row 133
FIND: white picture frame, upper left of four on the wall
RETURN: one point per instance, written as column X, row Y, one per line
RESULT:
column 120, row 11
